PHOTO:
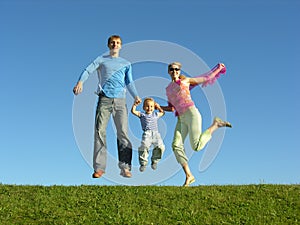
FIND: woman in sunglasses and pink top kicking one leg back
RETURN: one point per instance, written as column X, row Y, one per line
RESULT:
column 189, row 118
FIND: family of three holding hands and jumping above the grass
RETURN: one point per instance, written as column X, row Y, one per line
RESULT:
column 115, row 75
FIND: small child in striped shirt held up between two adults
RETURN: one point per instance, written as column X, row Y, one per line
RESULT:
column 151, row 136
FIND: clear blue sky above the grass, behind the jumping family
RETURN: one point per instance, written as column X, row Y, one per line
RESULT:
column 45, row 45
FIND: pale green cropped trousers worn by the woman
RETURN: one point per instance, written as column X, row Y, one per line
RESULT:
column 190, row 122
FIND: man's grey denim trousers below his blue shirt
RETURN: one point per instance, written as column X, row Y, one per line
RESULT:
column 115, row 107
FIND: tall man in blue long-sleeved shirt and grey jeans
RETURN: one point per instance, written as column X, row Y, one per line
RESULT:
column 114, row 73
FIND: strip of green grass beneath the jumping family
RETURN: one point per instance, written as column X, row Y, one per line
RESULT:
column 245, row 204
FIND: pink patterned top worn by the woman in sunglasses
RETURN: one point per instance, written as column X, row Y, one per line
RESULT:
column 179, row 96
